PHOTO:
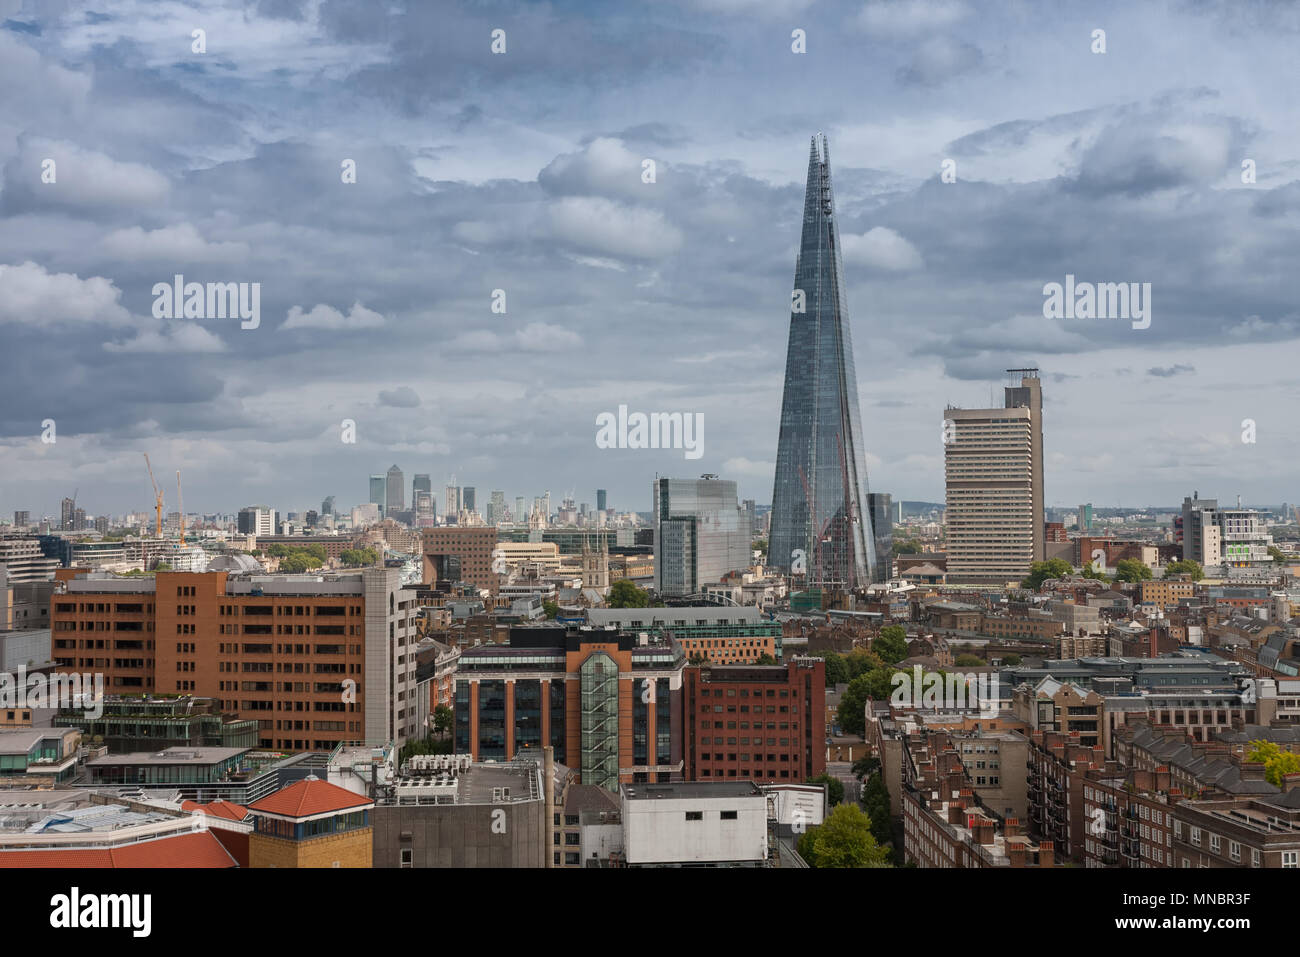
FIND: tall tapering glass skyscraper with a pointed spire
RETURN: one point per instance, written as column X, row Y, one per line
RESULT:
column 821, row 525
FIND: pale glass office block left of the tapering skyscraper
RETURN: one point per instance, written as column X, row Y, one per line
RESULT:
column 700, row 535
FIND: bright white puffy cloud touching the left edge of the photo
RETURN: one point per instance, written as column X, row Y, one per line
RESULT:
column 33, row 296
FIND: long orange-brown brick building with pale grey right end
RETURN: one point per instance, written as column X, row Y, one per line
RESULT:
column 315, row 662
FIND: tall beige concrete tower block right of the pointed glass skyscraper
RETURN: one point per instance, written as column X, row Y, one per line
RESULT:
column 994, row 478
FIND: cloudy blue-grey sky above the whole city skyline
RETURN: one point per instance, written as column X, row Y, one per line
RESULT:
column 523, row 172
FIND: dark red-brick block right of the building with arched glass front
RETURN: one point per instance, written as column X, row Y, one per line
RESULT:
column 757, row 722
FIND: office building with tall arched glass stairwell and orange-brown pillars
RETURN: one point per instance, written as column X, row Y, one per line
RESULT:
column 606, row 703
